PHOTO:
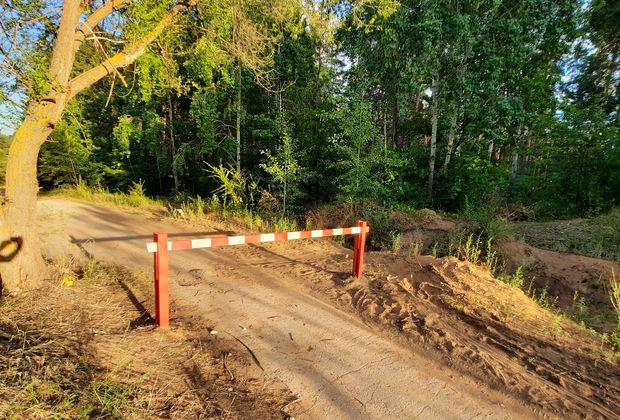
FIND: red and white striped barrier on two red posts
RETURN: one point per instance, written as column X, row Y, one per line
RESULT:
column 161, row 246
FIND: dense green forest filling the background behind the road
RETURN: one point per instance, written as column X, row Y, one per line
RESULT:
column 416, row 103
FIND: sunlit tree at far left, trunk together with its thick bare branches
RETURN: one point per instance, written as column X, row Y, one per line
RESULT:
column 21, row 263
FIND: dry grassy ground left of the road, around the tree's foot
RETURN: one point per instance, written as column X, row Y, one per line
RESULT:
column 86, row 347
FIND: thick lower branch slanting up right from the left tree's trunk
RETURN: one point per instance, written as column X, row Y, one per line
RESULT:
column 123, row 58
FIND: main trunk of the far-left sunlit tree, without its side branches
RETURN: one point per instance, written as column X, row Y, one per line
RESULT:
column 26, row 268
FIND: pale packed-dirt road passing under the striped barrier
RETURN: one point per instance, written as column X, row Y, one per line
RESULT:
column 336, row 365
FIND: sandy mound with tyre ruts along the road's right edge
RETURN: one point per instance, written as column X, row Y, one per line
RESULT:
column 490, row 330
